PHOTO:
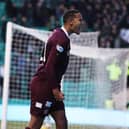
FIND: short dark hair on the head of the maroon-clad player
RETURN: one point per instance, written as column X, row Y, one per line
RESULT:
column 69, row 15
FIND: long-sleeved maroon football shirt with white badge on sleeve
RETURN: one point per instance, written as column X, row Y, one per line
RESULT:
column 56, row 58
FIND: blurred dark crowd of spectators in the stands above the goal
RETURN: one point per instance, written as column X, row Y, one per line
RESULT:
column 106, row 16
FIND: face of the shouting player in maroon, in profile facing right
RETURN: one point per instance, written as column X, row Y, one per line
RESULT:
column 76, row 23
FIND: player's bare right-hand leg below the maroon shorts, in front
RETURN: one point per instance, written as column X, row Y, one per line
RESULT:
column 60, row 119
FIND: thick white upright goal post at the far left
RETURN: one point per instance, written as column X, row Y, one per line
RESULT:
column 6, row 76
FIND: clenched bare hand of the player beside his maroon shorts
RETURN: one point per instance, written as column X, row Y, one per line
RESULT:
column 59, row 96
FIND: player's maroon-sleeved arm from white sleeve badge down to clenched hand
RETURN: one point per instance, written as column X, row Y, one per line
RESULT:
column 54, row 54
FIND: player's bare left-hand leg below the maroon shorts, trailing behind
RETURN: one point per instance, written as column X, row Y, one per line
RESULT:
column 35, row 122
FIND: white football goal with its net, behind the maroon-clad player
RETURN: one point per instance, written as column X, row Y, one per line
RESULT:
column 95, row 80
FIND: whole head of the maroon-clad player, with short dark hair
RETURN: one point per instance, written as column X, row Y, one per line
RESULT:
column 73, row 19
